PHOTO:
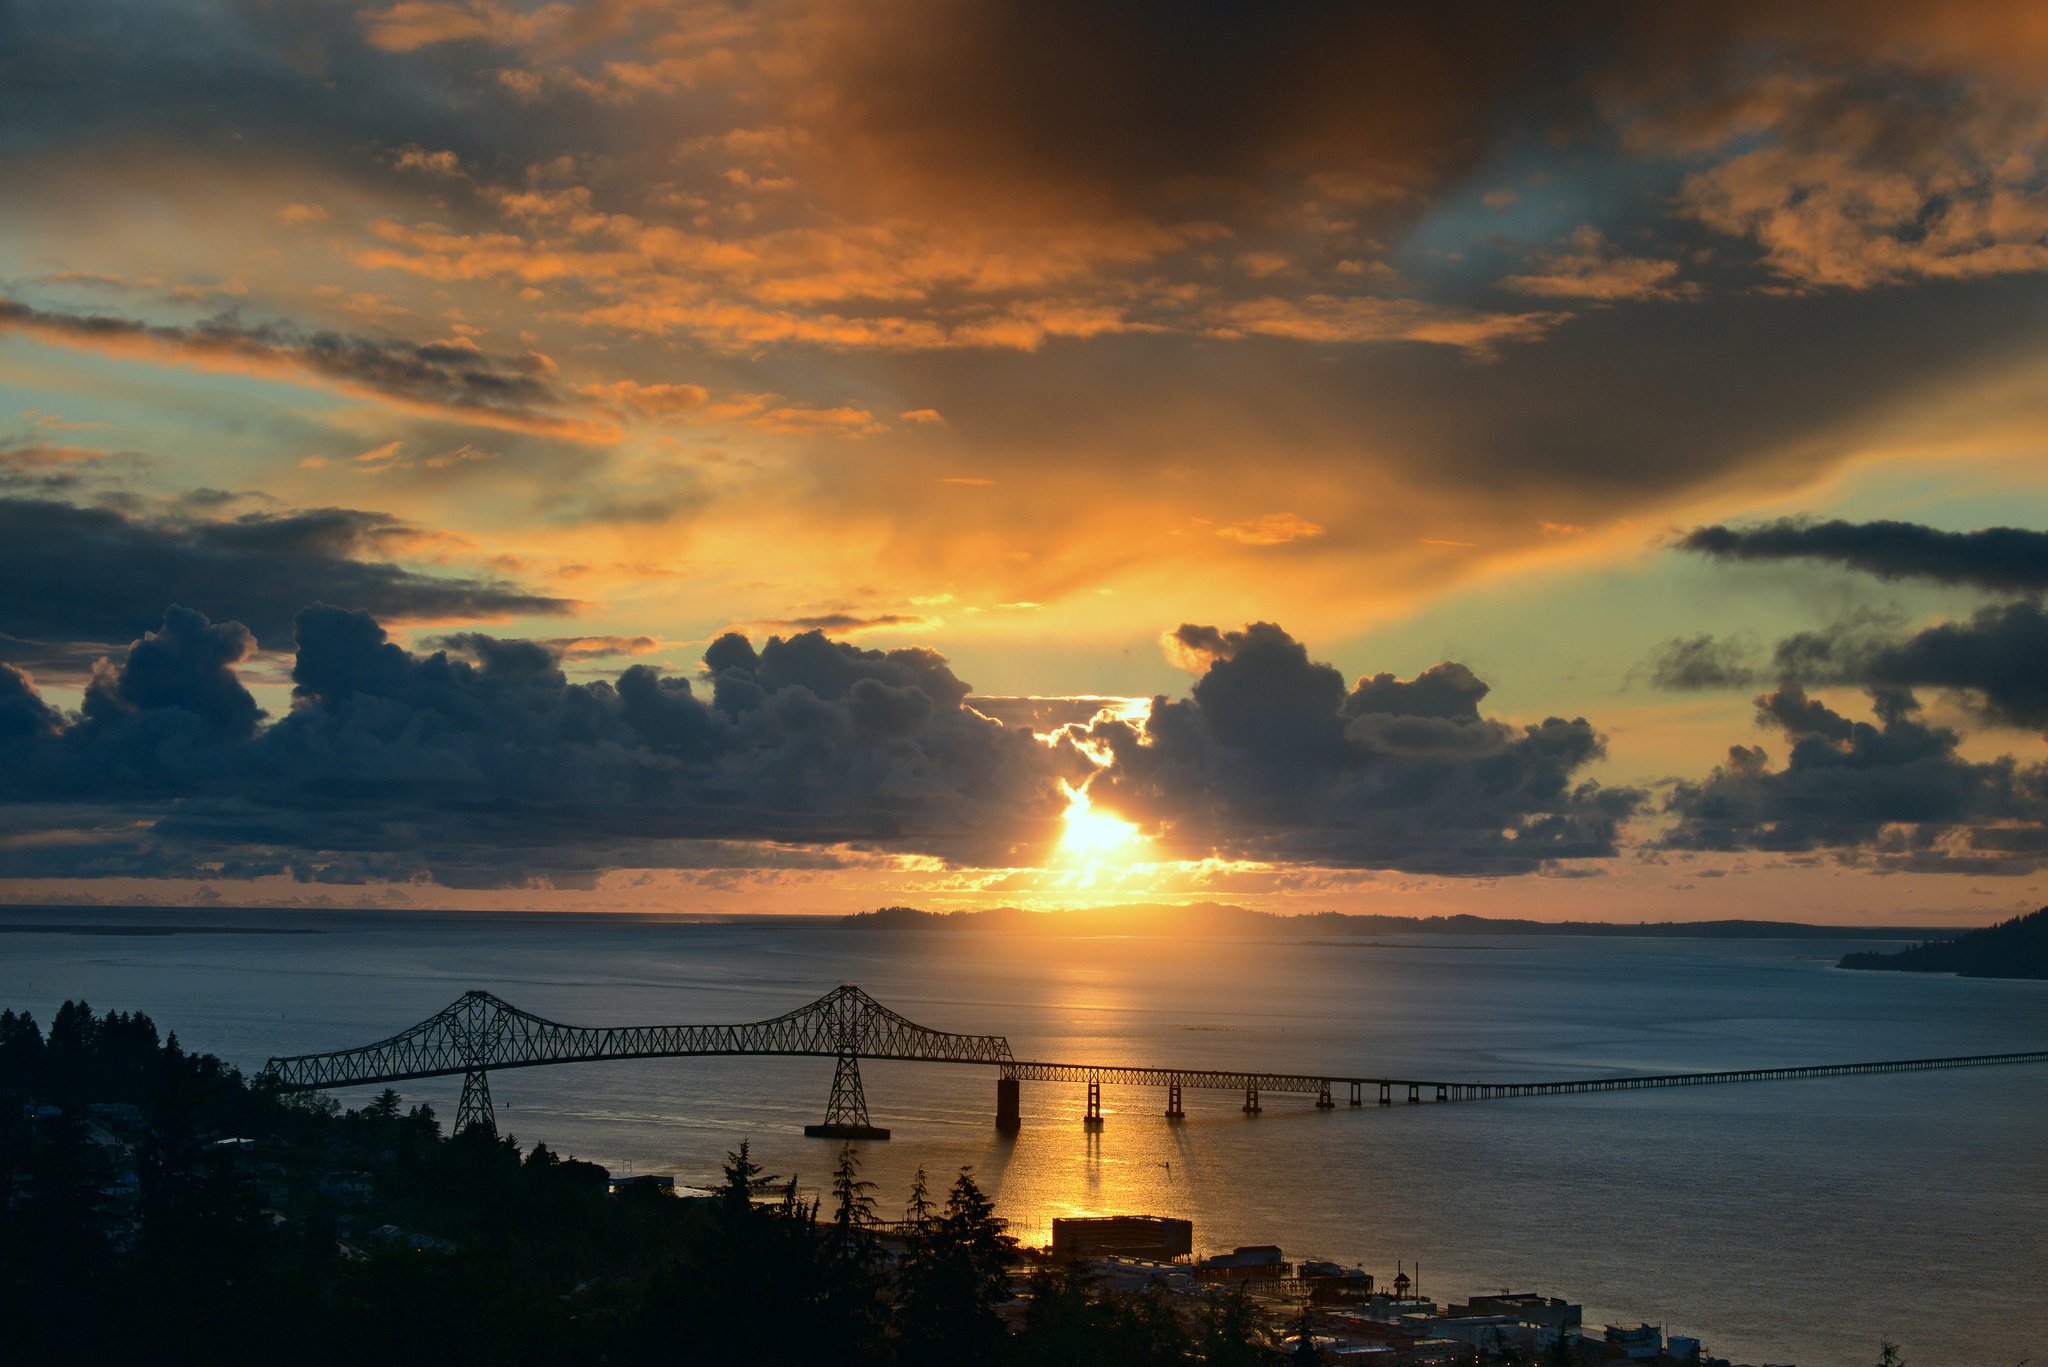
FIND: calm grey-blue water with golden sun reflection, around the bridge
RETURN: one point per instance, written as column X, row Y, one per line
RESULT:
column 1789, row 1223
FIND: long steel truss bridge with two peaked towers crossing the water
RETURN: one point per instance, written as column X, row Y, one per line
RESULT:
column 482, row 1034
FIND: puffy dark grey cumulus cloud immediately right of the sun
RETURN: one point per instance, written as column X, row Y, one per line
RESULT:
column 1273, row 757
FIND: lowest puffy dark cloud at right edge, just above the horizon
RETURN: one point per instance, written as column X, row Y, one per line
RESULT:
column 1895, row 794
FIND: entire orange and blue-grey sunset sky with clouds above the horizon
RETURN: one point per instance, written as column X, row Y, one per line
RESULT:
column 820, row 454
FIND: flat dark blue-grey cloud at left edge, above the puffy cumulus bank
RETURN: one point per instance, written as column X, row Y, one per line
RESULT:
column 79, row 581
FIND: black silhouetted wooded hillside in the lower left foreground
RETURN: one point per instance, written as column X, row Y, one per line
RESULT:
column 161, row 1208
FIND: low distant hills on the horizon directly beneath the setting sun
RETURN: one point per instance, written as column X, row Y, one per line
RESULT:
column 1213, row 919
